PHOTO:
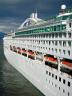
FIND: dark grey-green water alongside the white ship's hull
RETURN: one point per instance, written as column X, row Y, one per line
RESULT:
column 12, row 83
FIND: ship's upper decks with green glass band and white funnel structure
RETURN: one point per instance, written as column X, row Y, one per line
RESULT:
column 35, row 25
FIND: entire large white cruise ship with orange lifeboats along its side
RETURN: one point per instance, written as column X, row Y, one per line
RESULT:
column 41, row 50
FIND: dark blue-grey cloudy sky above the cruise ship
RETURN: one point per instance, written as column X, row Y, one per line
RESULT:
column 14, row 12
